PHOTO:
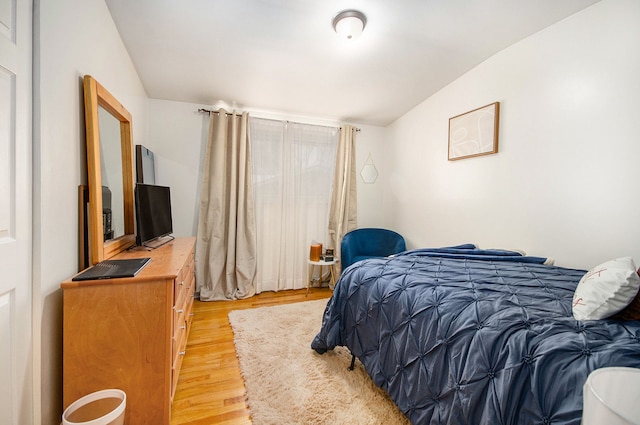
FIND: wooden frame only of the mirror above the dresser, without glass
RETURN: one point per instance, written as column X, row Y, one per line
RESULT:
column 95, row 95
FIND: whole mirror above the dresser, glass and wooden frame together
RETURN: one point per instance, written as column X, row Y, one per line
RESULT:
column 109, row 173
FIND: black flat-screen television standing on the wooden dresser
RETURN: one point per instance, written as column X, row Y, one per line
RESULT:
column 153, row 215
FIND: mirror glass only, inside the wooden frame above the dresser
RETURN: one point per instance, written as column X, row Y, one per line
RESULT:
column 111, row 173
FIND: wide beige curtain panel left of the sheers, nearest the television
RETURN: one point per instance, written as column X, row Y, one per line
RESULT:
column 226, row 255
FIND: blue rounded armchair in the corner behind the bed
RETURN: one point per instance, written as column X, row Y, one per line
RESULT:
column 364, row 243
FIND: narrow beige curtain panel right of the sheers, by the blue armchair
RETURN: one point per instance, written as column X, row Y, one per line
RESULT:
column 343, row 214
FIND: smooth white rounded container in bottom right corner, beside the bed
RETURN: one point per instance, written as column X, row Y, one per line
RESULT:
column 611, row 396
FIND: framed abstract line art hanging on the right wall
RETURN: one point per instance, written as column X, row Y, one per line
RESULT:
column 474, row 133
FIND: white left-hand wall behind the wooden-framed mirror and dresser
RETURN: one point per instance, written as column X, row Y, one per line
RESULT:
column 73, row 38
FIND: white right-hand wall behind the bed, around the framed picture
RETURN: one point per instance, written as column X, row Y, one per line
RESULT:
column 564, row 181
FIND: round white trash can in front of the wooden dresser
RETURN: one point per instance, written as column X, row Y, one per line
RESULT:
column 104, row 407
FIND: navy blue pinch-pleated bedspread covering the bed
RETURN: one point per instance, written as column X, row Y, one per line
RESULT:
column 477, row 340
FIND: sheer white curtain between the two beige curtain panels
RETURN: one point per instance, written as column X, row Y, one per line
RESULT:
column 293, row 167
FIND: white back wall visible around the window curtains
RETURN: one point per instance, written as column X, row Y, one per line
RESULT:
column 178, row 137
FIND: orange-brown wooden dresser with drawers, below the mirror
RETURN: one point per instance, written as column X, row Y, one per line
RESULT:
column 131, row 333
